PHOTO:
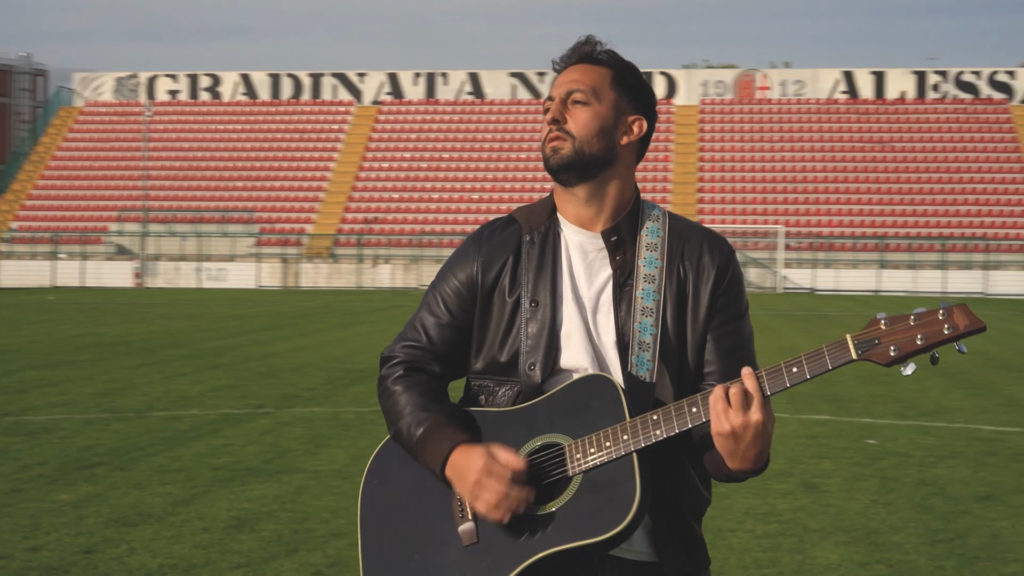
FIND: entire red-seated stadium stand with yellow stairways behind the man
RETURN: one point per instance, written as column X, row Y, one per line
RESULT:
column 424, row 174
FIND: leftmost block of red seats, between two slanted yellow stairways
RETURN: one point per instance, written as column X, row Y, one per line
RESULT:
column 247, row 168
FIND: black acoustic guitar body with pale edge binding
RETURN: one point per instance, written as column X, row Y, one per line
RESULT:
column 407, row 523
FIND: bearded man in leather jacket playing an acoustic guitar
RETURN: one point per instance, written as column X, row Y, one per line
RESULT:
column 546, row 294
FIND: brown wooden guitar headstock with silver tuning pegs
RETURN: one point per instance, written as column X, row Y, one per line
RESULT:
column 895, row 340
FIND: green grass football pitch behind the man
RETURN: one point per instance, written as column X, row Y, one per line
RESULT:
column 186, row 432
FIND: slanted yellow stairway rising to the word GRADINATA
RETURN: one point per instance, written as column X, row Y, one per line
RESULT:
column 340, row 187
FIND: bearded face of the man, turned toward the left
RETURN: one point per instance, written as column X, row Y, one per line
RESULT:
column 581, row 126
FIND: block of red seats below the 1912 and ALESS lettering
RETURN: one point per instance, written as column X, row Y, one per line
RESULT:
column 919, row 171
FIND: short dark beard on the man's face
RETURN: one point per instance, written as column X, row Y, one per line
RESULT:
column 582, row 163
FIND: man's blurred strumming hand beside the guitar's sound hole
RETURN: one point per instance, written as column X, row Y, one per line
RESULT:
column 492, row 478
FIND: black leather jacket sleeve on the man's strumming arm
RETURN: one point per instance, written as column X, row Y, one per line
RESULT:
column 430, row 353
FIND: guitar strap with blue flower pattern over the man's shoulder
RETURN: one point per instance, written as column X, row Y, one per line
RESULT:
column 650, row 283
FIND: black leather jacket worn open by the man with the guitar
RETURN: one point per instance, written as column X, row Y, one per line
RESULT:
column 492, row 316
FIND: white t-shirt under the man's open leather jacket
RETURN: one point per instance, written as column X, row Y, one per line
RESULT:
column 588, row 335
